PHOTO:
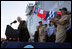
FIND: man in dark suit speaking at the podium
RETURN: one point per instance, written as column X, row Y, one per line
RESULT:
column 23, row 31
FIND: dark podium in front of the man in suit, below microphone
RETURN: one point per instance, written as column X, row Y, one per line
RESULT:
column 10, row 32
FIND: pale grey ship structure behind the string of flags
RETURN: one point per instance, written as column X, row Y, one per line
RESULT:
column 33, row 19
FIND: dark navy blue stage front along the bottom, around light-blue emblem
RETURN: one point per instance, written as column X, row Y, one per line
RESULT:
column 35, row 45
